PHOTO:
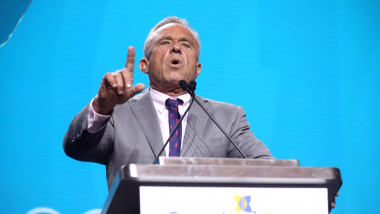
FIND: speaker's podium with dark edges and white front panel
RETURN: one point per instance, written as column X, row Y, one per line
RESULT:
column 222, row 185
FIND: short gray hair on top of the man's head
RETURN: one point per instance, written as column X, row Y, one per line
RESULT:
column 165, row 21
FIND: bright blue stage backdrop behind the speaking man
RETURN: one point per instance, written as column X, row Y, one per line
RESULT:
column 306, row 72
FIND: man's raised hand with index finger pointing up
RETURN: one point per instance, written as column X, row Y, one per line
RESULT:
column 116, row 88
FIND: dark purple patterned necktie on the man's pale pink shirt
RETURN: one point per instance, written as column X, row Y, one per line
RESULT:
column 175, row 141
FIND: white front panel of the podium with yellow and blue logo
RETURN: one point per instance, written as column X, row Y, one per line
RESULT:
column 223, row 200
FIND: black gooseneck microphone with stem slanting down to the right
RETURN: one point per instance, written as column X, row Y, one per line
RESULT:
column 190, row 88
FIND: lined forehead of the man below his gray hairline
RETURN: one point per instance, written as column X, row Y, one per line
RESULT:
column 175, row 31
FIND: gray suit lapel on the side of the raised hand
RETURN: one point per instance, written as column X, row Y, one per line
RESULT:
column 145, row 113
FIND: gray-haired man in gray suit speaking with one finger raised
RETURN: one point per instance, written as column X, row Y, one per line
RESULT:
column 118, row 128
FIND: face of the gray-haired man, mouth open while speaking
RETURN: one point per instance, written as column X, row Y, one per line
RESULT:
column 173, row 57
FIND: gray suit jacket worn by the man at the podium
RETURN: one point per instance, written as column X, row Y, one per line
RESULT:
column 133, row 135
